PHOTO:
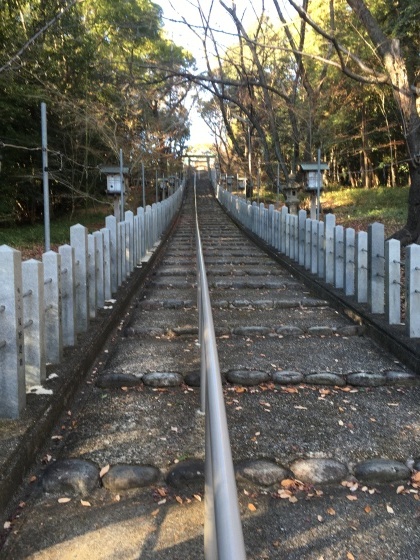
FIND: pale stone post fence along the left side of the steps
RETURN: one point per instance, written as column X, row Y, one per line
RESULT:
column 45, row 305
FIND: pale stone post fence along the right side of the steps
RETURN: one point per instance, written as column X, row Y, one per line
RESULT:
column 361, row 264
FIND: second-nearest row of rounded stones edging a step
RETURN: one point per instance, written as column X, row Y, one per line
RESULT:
column 251, row 378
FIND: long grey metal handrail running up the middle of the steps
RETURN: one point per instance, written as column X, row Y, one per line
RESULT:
column 223, row 535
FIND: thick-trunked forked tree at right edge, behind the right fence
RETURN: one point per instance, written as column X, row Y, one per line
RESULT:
column 397, row 71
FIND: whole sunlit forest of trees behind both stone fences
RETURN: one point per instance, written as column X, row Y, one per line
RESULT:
column 342, row 76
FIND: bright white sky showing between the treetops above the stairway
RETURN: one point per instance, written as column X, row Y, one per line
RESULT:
column 173, row 13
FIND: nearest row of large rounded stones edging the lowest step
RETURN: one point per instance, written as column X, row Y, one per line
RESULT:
column 81, row 477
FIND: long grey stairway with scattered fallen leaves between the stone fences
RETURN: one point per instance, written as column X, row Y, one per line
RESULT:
column 270, row 324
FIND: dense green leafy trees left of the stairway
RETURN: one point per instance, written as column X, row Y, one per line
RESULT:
column 102, row 68
